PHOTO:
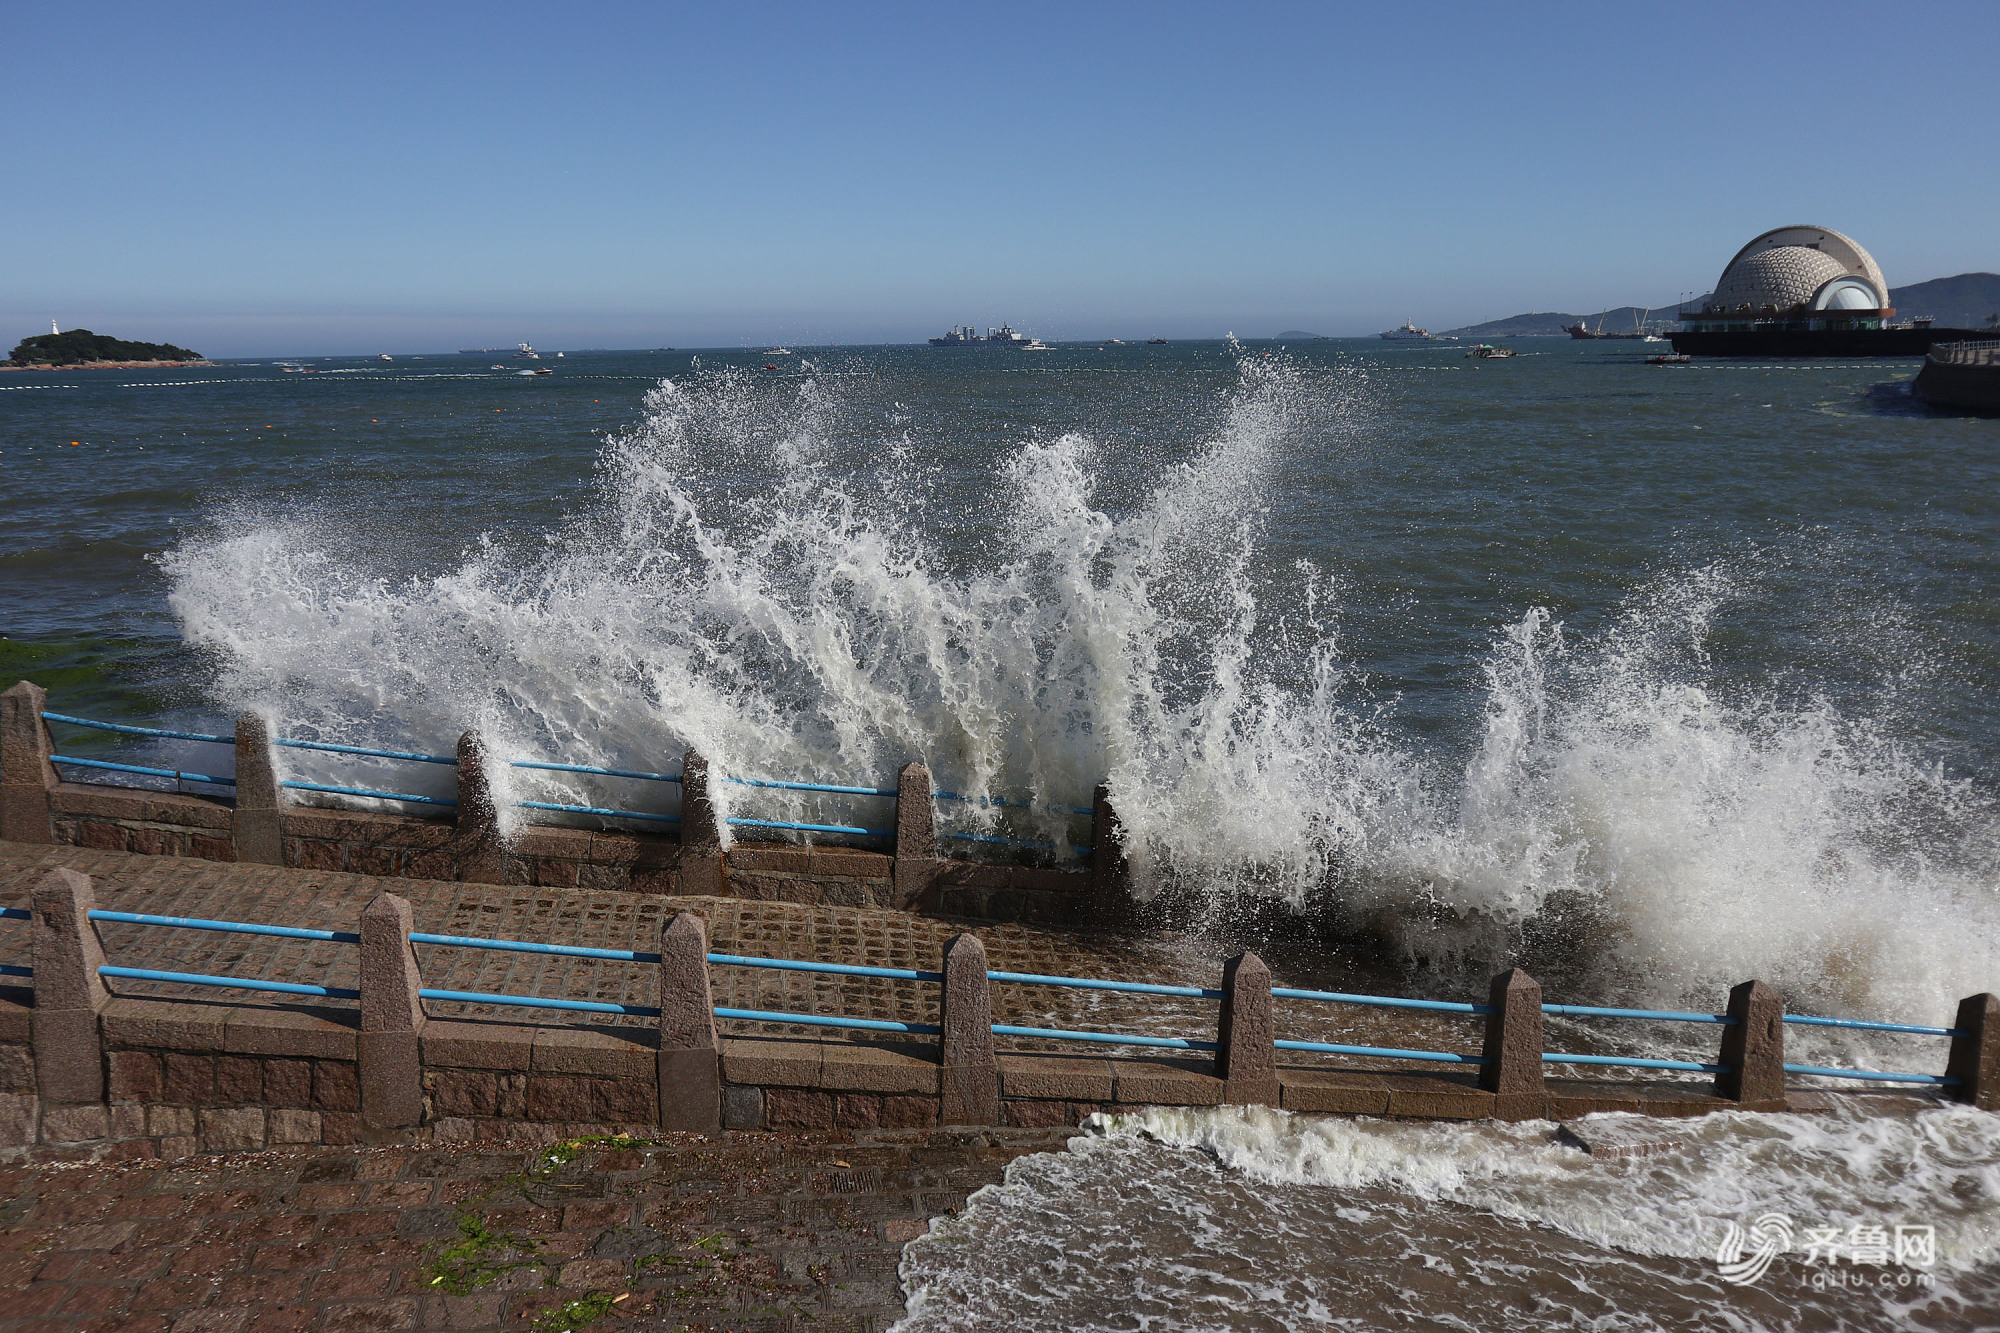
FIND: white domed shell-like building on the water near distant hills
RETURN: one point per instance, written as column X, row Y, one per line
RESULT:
column 1801, row 291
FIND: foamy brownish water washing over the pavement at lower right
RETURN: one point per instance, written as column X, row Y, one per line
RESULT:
column 1261, row 1220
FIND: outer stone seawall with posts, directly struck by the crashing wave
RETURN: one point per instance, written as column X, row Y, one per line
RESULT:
column 257, row 824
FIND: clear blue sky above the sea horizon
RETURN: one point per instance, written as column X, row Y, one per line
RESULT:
column 387, row 177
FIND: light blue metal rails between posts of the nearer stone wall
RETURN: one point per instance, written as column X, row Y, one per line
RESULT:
column 1005, row 978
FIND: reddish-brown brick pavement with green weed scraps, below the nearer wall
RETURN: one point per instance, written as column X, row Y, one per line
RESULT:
column 751, row 1234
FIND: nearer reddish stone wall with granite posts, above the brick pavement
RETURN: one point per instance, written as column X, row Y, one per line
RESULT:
column 85, row 1074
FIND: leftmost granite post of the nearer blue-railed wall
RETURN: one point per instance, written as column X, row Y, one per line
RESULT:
column 69, row 994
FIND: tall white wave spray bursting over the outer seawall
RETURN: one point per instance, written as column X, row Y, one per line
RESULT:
column 763, row 577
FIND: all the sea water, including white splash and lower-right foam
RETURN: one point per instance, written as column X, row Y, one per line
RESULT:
column 1651, row 680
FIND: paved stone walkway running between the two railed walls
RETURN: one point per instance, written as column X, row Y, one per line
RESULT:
column 605, row 920
